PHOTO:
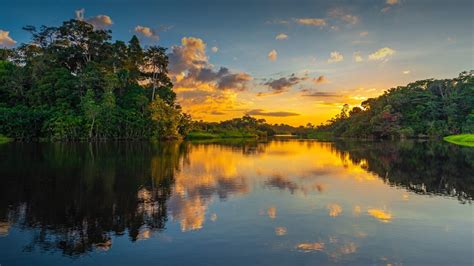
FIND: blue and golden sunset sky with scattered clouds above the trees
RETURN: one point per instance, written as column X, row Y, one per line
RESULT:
column 286, row 61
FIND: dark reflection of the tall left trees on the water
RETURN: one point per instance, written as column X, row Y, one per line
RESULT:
column 74, row 196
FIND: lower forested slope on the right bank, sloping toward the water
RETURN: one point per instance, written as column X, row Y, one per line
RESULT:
column 425, row 108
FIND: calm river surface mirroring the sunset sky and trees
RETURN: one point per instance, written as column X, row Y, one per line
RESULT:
column 276, row 203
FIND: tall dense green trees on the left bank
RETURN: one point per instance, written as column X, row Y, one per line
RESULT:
column 72, row 82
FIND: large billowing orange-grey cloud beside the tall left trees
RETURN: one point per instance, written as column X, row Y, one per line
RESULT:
column 202, row 89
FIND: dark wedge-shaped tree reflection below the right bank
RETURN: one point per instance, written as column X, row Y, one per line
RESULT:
column 422, row 167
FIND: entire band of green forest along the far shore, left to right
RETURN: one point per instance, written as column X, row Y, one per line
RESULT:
column 71, row 82
